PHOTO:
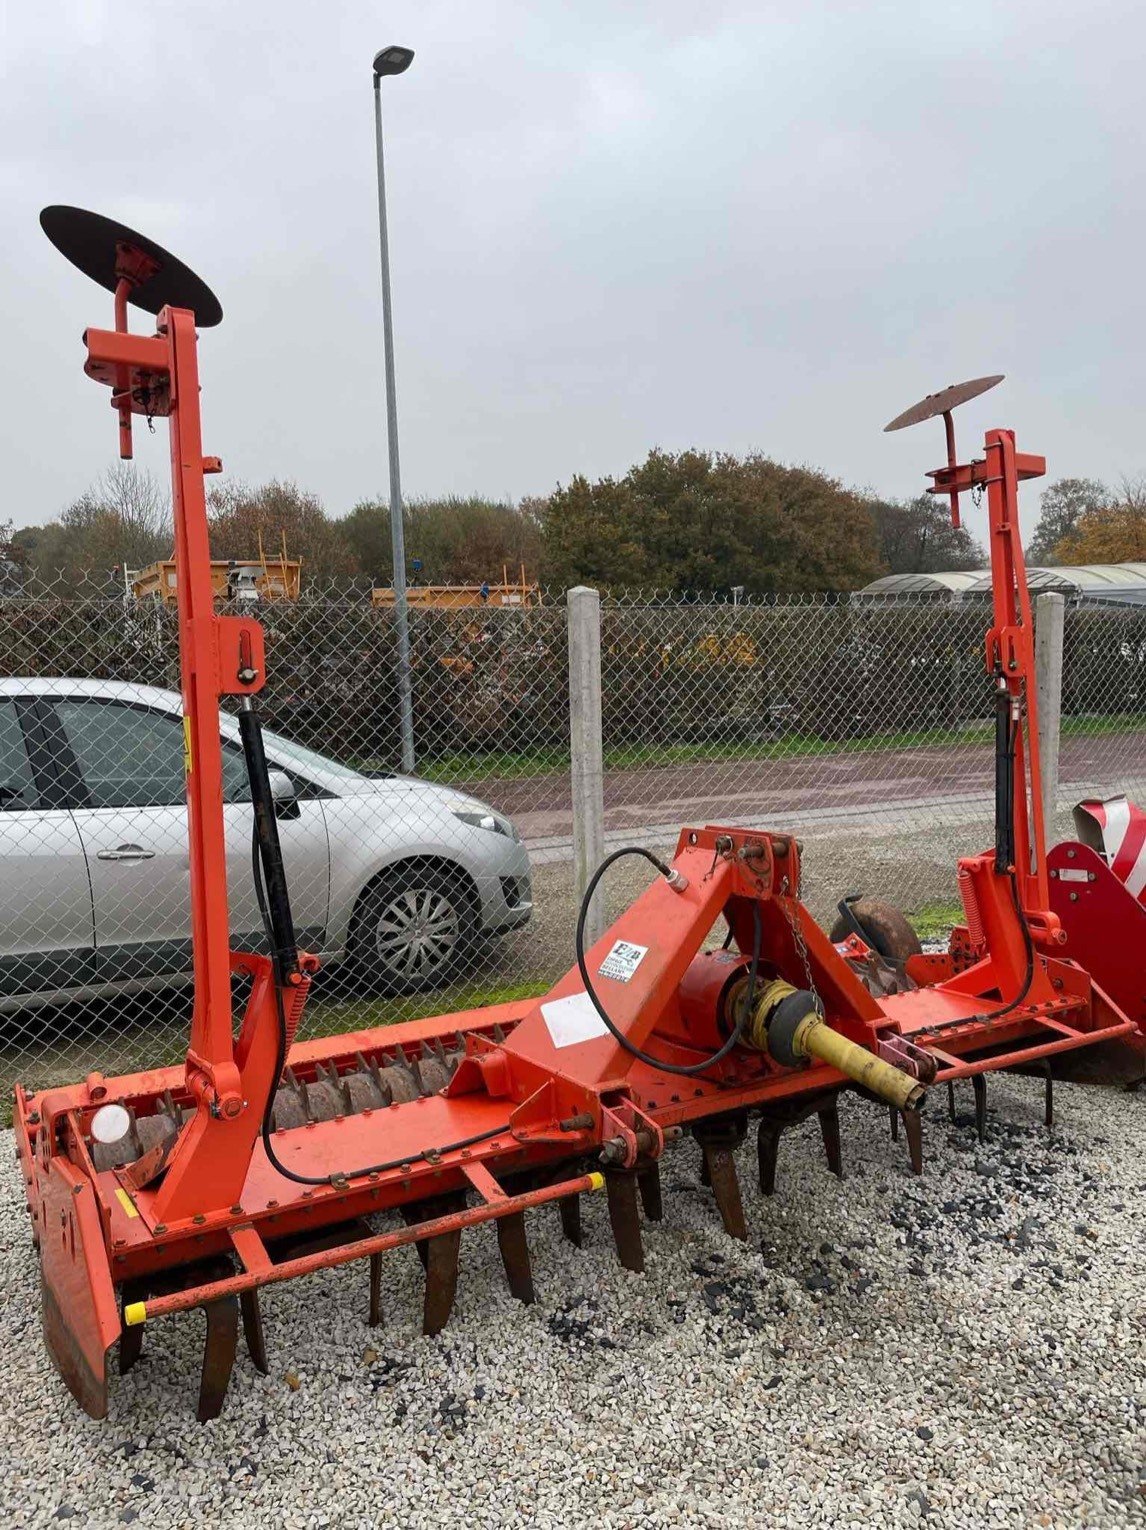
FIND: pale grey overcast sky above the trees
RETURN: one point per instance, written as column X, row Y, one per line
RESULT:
column 728, row 226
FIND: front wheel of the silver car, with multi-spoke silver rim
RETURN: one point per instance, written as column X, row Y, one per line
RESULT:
column 414, row 929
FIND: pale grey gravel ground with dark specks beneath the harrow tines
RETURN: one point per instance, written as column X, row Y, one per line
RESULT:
column 959, row 1350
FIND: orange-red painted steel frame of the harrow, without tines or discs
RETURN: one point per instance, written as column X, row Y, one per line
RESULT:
column 518, row 1101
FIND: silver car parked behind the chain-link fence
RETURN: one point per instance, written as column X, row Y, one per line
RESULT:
column 397, row 876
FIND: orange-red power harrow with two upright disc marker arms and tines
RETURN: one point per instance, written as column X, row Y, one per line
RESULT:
column 264, row 1157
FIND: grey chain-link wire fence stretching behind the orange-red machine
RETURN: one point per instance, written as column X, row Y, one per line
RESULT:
column 865, row 728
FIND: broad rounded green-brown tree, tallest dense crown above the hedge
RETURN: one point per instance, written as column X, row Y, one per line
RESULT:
column 702, row 522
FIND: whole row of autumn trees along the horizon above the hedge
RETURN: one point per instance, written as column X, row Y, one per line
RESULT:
column 692, row 522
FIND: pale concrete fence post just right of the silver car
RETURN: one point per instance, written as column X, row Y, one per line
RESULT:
column 584, row 608
